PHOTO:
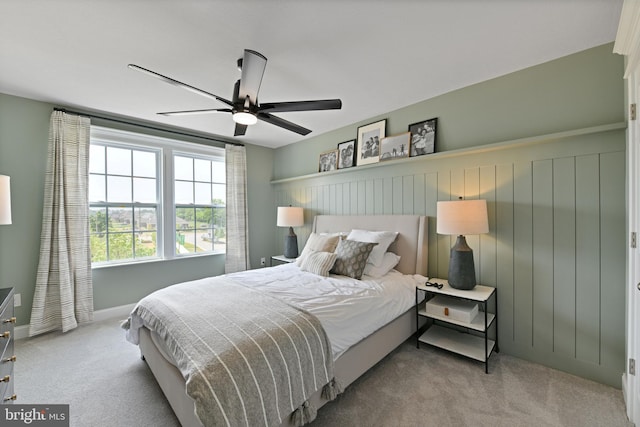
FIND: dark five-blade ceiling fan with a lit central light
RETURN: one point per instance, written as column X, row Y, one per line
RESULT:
column 245, row 107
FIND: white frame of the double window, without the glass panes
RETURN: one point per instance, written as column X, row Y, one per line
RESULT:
column 166, row 214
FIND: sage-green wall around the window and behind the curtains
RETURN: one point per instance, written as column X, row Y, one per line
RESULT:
column 24, row 126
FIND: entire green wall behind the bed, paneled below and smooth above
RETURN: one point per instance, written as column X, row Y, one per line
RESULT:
column 545, row 147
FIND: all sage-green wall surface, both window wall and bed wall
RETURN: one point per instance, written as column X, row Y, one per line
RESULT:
column 556, row 247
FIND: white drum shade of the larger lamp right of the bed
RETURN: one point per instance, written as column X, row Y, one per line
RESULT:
column 462, row 217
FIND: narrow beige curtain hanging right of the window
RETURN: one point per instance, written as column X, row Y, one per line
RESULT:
column 237, row 258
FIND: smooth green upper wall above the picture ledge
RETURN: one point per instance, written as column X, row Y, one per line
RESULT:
column 577, row 91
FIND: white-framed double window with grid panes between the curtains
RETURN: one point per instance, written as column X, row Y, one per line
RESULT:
column 154, row 198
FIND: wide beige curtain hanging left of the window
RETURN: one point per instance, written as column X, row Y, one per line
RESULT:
column 64, row 290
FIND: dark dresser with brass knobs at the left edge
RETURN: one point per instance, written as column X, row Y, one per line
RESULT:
column 7, row 356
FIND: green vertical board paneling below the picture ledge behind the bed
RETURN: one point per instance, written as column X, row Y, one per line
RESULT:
column 555, row 249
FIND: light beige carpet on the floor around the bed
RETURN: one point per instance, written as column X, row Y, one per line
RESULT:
column 101, row 376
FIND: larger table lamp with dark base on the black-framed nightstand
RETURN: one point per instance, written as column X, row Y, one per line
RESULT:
column 460, row 218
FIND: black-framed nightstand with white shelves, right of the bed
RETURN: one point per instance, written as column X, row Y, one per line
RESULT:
column 443, row 334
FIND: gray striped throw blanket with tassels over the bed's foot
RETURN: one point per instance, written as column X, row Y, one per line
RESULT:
column 249, row 359
